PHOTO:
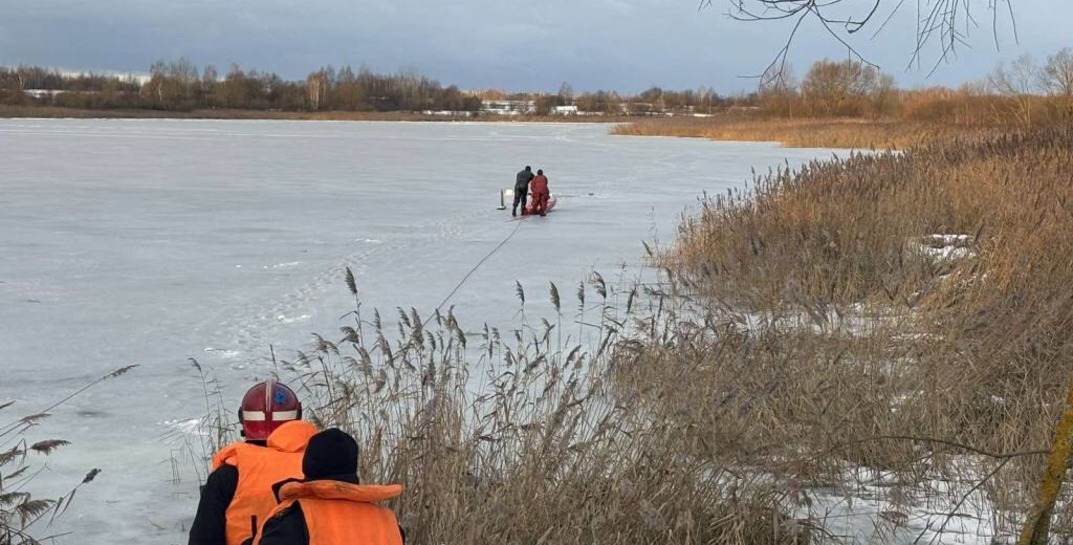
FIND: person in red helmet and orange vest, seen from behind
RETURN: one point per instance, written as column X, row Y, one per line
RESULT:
column 238, row 496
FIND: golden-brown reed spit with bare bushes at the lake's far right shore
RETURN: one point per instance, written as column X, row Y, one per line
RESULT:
column 850, row 106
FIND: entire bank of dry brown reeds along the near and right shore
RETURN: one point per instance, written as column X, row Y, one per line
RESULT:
column 806, row 334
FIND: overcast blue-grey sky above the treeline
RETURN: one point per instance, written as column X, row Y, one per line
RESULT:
column 626, row 46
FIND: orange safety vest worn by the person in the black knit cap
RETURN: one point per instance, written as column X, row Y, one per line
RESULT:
column 341, row 513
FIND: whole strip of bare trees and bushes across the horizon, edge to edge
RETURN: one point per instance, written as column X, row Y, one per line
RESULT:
column 1022, row 91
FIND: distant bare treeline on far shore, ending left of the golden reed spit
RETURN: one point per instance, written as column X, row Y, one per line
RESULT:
column 182, row 86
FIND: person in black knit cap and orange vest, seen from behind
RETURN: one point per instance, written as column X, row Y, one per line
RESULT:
column 330, row 507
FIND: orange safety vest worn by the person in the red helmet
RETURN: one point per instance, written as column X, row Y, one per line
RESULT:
column 259, row 469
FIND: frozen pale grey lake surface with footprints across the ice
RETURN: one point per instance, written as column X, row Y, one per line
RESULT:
column 152, row 242
